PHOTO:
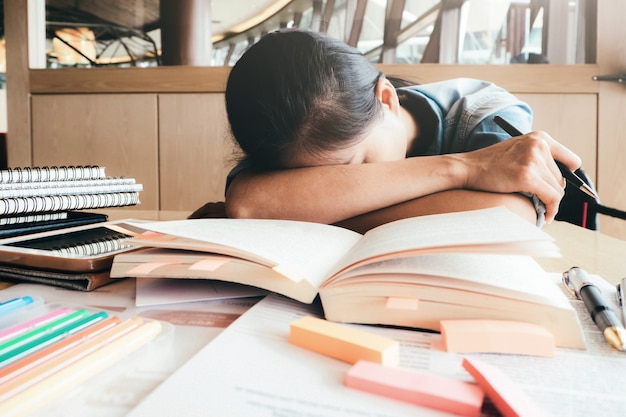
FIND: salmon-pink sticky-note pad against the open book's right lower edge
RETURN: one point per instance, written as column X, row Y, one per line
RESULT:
column 497, row 336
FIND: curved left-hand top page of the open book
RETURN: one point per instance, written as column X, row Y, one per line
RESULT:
column 308, row 250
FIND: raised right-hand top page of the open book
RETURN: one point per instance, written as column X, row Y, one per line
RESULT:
column 494, row 230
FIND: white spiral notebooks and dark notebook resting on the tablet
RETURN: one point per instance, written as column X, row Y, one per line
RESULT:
column 47, row 198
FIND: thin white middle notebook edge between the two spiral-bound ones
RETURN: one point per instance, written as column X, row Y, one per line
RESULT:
column 70, row 189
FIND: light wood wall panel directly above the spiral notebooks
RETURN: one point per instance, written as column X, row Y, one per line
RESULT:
column 118, row 131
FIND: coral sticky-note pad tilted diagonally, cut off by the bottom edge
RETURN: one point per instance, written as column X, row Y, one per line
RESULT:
column 508, row 398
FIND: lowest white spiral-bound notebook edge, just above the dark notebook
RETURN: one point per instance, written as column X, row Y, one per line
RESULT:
column 42, row 204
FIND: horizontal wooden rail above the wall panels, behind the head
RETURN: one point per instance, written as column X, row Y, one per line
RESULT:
column 519, row 78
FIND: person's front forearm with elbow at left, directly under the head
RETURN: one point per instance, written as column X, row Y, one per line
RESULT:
column 329, row 194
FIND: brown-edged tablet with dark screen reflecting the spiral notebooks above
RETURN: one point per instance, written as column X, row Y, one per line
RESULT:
column 86, row 248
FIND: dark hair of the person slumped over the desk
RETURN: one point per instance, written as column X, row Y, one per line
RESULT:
column 297, row 90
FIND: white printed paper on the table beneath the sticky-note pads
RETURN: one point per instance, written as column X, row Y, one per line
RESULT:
column 252, row 370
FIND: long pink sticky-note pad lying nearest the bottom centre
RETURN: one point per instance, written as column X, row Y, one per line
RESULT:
column 434, row 391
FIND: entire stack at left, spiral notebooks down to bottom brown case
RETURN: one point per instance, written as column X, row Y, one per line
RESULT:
column 48, row 199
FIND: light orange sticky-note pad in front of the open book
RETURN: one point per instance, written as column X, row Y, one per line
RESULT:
column 343, row 342
